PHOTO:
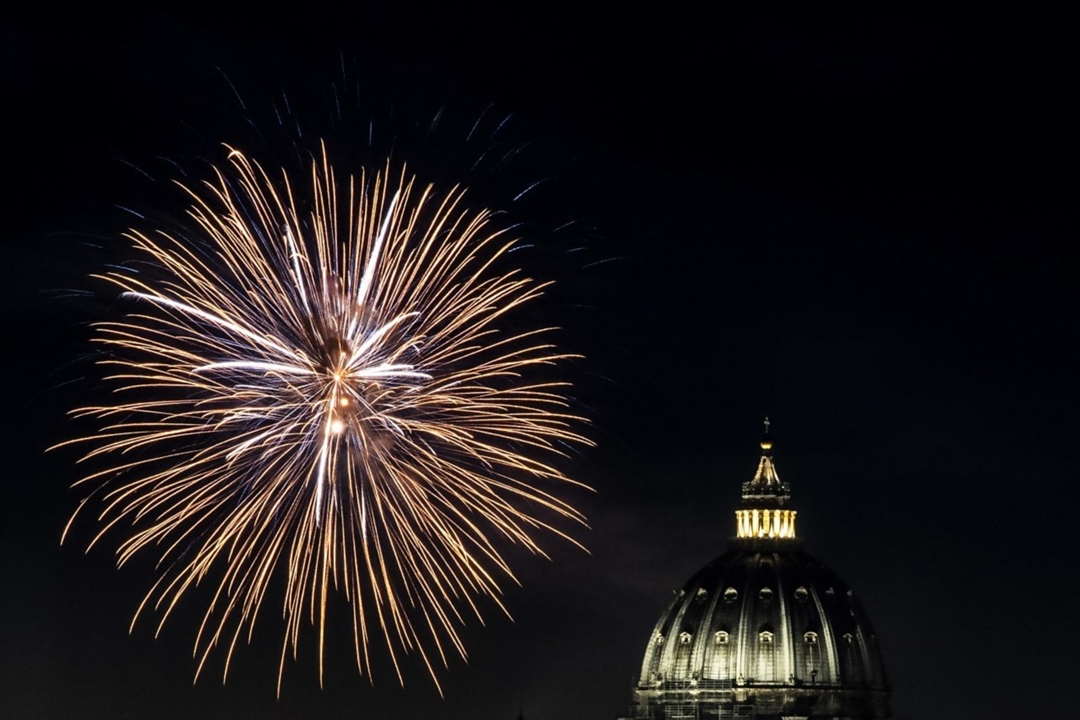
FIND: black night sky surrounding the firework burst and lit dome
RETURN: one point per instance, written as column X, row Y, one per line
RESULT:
column 860, row 226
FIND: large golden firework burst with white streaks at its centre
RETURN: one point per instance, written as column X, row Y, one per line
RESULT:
column 316, row 392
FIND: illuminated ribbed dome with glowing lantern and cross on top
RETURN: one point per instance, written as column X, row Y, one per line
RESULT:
column 765, row 631
